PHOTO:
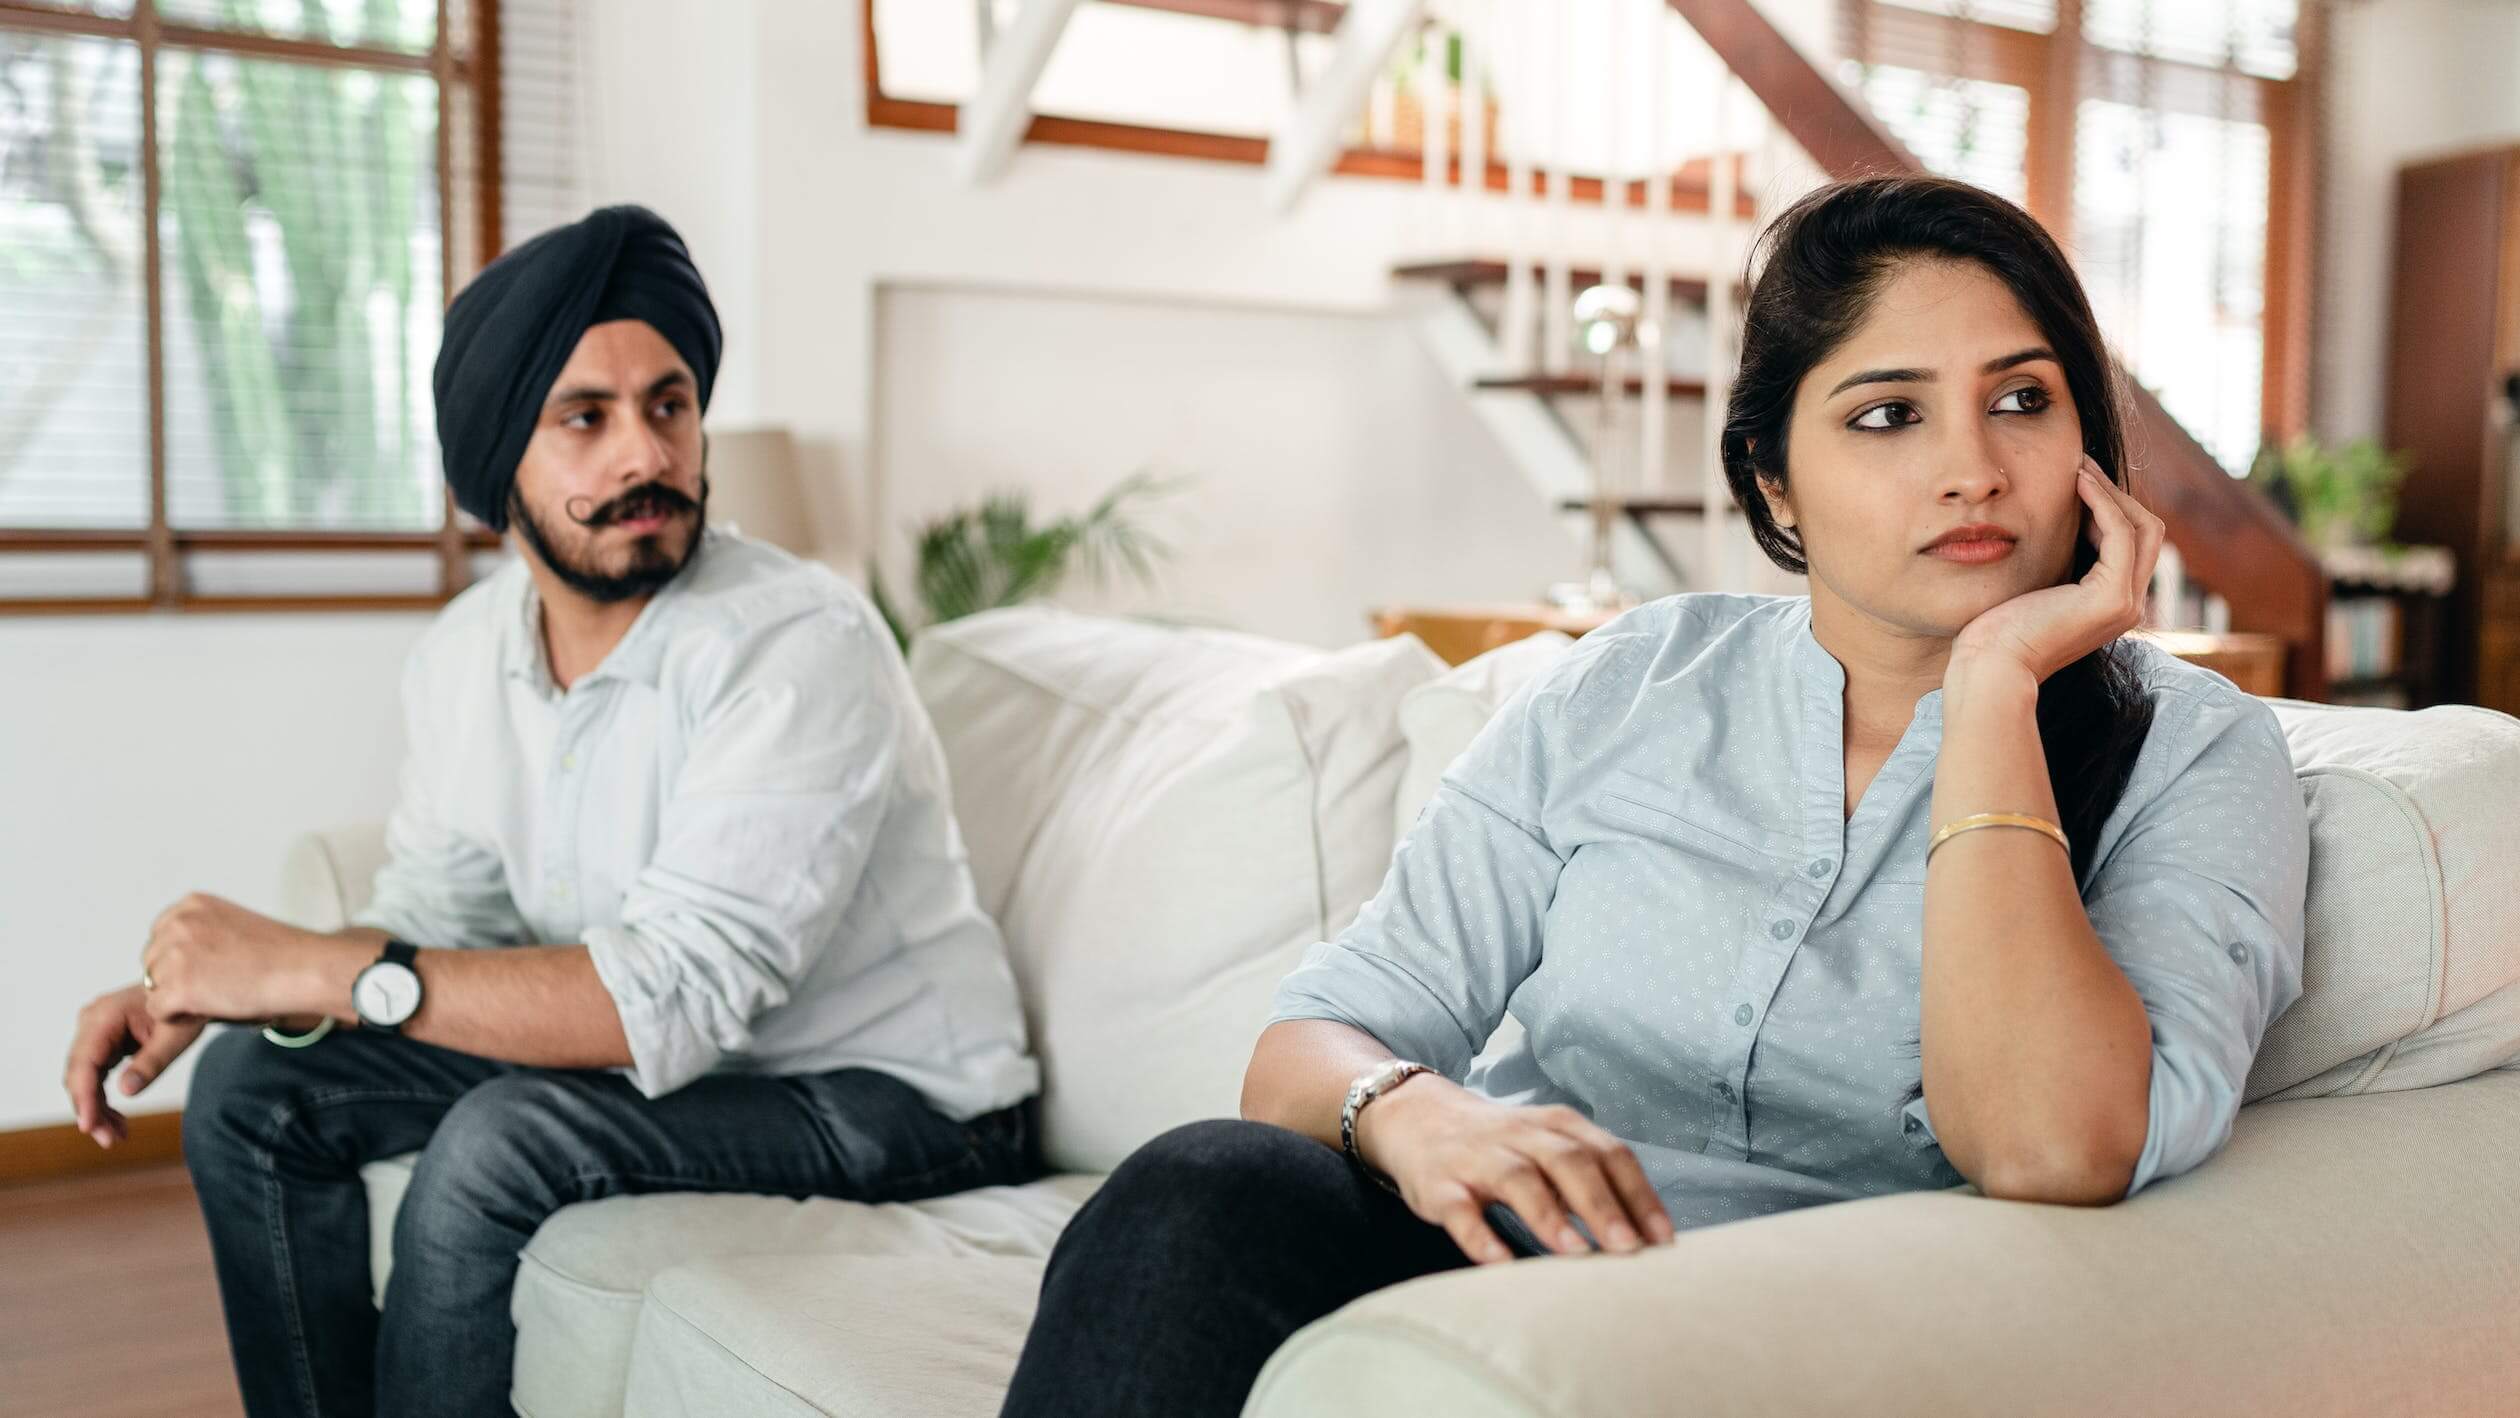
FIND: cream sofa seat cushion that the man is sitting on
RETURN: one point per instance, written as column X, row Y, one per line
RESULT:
column 586, row 1273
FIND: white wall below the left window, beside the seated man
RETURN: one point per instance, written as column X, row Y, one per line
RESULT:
column 152, row 757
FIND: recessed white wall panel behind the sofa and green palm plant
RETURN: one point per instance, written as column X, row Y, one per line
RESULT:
column 1332, row 462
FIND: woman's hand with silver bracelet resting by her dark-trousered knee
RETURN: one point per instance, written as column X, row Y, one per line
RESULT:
column 1453, row 1152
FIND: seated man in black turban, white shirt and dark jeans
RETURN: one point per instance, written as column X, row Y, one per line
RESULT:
column 672, row 898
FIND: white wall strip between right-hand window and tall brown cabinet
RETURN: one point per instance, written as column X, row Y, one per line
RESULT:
column 2413, row 79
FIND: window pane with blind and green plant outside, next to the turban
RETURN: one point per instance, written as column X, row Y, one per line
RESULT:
column 301, row 303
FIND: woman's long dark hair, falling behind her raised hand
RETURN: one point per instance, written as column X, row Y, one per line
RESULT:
column 1821, row 266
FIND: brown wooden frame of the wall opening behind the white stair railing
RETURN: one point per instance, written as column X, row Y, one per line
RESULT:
column 1692, row 185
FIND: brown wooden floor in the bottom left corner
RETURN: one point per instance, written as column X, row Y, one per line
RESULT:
column 107, row 1303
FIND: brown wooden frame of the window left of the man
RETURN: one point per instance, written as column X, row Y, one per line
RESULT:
column 470, row 72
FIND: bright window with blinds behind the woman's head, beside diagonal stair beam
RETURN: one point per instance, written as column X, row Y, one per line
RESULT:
column 2153, row 137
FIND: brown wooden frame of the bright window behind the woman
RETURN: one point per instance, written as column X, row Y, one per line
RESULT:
column 2047, row 67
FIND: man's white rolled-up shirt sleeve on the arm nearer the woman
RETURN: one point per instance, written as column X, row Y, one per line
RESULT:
column 760, row 850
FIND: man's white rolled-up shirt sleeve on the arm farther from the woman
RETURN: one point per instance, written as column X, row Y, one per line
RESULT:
column 440, row 885
